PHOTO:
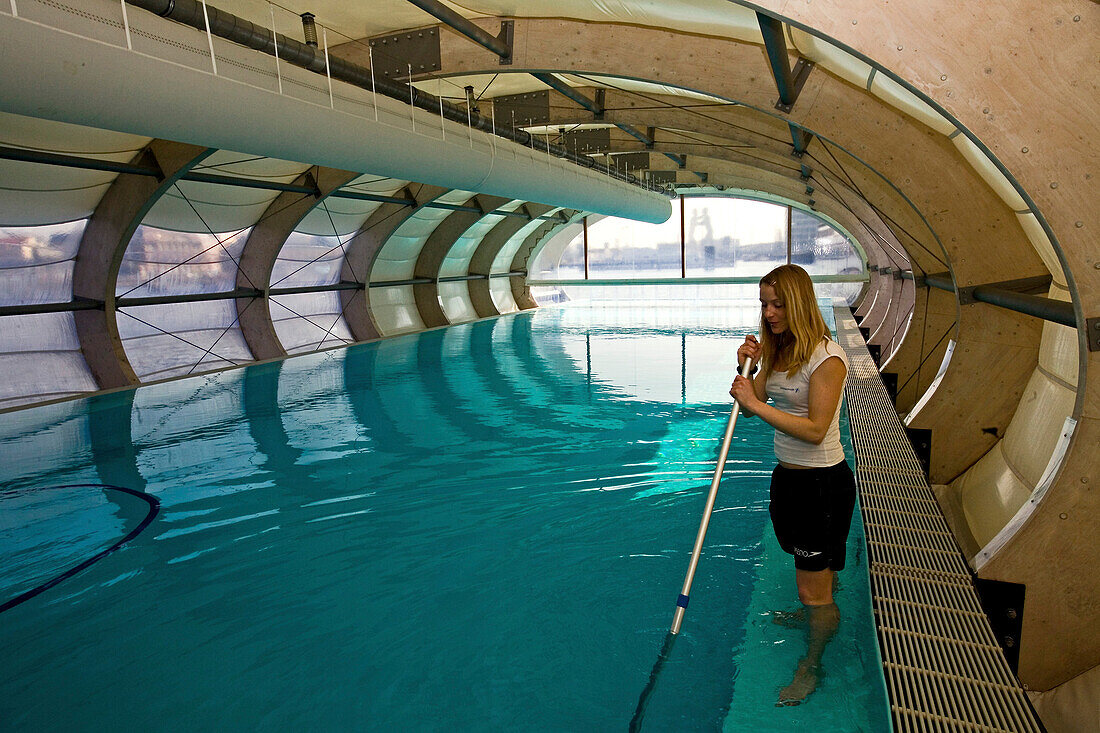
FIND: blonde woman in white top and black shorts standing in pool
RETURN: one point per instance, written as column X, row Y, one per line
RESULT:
column 813, row 491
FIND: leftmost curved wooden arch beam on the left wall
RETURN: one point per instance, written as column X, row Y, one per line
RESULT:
column 104, row 245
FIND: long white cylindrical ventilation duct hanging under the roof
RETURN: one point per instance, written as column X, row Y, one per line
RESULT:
column 50, row 74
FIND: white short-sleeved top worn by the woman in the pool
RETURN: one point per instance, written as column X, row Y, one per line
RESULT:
column 793, row 396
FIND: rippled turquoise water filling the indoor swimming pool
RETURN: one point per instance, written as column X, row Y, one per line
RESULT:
column 478, row 529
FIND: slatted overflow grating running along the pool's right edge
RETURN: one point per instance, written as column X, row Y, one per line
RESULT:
column 943, row 666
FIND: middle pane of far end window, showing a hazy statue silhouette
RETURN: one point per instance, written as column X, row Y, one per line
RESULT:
column 733, row 237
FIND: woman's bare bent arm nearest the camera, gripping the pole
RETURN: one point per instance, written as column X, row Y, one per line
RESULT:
column 826, row 387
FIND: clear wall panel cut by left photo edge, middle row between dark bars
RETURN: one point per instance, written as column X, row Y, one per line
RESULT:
column 37, row 262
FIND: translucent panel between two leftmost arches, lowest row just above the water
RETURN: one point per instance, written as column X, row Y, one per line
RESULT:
column 182, row 338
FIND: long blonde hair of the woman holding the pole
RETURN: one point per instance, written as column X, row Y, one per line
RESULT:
column 805, row 324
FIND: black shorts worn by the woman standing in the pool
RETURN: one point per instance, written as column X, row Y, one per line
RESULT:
column 811, row 511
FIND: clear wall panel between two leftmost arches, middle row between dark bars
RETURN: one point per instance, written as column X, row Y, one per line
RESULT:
column 163, row 262
